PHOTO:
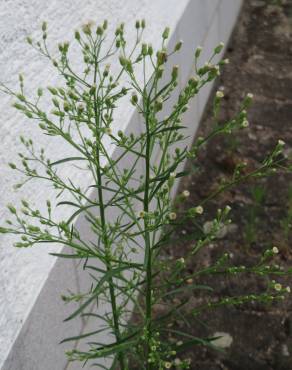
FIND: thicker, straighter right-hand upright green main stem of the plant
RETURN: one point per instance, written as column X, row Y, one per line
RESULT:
column 148, row 252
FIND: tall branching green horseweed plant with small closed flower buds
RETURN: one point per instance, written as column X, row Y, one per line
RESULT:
column 129, row 212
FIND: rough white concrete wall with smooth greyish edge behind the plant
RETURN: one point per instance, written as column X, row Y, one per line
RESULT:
column 31, row 311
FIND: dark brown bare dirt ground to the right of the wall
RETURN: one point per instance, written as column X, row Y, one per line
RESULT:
column 260, row 54
